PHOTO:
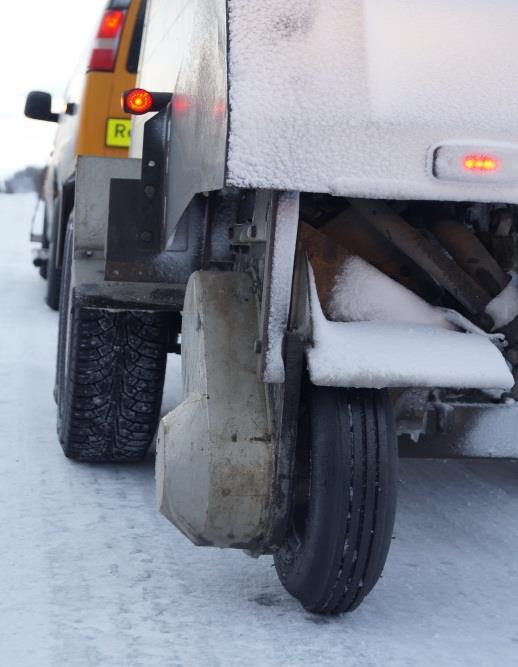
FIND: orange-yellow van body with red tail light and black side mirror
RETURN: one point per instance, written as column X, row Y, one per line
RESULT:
column 91, row 123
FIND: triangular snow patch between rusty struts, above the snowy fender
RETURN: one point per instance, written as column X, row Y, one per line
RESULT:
column 363, row 293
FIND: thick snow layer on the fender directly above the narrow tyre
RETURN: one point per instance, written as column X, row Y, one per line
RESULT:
column 400, row 354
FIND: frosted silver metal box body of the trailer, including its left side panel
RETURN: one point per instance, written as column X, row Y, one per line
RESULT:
column 350, row 97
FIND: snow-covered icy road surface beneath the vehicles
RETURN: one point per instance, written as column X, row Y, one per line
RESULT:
column 92, row 575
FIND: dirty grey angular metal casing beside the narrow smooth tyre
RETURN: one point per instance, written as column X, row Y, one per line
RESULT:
column 214, row 453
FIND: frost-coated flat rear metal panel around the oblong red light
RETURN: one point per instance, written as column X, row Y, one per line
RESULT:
column 352, row 96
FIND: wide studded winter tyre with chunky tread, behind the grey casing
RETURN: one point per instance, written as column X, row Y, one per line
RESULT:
column 110, row 377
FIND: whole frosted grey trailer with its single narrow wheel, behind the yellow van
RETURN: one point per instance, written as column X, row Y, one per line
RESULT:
column 336, row 235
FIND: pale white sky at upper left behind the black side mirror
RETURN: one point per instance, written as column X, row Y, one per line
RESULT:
column 40, row 43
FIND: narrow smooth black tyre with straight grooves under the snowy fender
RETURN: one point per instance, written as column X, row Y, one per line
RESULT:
column 344, row 499
